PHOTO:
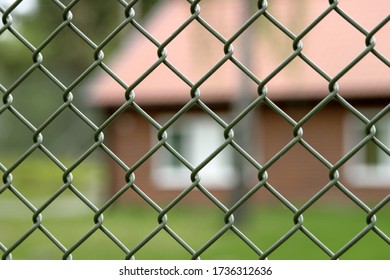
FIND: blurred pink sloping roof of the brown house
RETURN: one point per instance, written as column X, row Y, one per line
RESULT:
column 331, row 45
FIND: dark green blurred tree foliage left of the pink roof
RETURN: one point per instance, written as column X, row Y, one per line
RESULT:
column 66, row 55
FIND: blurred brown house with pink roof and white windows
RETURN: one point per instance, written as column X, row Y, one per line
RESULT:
column 333, row 131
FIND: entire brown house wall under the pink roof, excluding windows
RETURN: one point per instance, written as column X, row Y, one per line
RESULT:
column 297, row 174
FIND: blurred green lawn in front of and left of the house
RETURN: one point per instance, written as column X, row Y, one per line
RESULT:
column 69, row 220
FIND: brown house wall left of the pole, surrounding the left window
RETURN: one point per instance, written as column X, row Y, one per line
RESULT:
column 130, row 138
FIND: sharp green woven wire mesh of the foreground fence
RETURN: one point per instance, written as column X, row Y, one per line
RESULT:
column 161, row 130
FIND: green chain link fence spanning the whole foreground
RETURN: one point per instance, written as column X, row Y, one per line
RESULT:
column 129, row 12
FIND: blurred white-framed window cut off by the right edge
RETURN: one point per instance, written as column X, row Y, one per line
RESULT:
column 370, row 167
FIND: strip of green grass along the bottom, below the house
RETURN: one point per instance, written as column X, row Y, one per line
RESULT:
column 334, row 226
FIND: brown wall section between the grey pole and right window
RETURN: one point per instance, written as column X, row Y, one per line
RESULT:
column 298, row 175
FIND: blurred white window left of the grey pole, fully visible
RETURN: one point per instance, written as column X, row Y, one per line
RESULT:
column 195, row 137
